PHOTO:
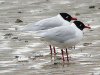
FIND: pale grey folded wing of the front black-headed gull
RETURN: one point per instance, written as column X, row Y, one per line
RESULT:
column 58, row 34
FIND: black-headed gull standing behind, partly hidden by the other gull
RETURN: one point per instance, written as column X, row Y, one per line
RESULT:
column 48, row 23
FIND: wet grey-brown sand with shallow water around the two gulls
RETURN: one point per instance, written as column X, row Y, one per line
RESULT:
column 33, row 56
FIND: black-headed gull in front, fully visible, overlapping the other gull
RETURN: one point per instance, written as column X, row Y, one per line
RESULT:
column 63, row 36
